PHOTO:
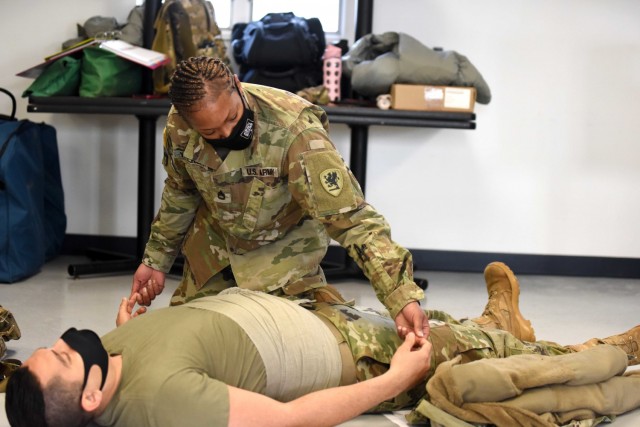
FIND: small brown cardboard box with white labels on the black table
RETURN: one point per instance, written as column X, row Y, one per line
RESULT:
column 433, row 98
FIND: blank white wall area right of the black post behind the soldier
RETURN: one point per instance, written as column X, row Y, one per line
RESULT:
column 554, row 165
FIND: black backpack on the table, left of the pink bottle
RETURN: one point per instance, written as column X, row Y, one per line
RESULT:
column 280, row 50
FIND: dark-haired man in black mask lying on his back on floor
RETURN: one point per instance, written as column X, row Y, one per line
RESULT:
column 244, row 358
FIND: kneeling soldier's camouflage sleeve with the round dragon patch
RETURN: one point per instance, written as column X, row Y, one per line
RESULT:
column 326, row 189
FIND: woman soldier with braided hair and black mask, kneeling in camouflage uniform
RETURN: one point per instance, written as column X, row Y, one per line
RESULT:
column 254, row 194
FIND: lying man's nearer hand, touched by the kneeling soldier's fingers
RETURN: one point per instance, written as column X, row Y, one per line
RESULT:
column 411, row 361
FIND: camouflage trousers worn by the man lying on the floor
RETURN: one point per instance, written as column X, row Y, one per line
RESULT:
column 372, row 338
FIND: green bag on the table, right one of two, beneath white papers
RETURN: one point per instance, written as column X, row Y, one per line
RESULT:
column 106, row 74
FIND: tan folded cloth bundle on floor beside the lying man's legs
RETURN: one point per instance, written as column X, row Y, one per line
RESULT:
column 534, row 390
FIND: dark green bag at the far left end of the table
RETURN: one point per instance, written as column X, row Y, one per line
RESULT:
column 60, row 78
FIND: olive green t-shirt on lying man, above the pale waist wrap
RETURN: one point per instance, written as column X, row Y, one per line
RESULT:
column 187, row 385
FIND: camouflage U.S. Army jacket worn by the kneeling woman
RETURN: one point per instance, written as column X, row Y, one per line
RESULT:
column 269, row 210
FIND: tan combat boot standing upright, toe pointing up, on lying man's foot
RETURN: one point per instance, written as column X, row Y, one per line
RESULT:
column 502, row 310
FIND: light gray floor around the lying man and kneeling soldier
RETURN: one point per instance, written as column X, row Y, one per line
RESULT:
column 562, row 309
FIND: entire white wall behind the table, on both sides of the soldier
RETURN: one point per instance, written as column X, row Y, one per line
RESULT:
column 553, row 167
